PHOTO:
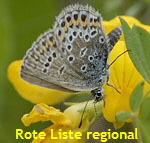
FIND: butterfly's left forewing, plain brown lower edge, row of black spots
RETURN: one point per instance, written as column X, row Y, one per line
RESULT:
column 43, row 65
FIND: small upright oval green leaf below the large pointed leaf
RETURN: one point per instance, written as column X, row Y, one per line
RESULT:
column 136, row 97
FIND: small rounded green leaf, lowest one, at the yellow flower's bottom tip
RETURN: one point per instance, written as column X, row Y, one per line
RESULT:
column 122, row 116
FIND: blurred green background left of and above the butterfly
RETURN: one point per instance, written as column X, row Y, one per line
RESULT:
column 21, row 22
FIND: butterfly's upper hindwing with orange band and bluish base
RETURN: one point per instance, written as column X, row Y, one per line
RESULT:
column 85, row 48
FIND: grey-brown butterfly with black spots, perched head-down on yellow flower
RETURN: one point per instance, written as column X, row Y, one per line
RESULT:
column 72, row 57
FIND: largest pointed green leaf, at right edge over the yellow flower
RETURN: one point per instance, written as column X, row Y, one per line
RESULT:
column 138, row 44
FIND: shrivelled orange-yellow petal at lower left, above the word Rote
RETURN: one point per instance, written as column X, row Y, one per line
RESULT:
column 42, row 112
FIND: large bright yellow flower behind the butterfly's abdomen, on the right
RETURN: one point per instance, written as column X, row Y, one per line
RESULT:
column 123, row 75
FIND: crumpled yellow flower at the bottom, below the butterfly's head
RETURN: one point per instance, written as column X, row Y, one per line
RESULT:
column 62, row 122
